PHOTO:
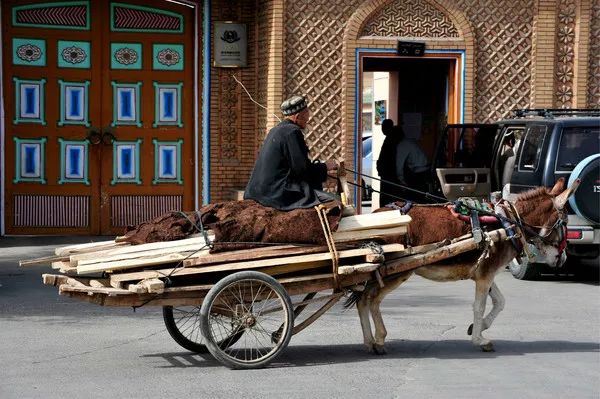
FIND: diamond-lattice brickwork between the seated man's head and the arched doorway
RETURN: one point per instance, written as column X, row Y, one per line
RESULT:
column 313, row 66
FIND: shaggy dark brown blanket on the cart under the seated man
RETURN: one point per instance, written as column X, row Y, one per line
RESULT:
column 238, row 224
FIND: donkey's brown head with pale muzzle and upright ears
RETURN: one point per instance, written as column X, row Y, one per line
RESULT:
column 544, row 220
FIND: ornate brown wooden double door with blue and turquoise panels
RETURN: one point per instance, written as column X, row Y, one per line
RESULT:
column 98, row 114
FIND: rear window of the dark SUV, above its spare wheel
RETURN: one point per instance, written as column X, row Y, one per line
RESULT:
column 576, row 143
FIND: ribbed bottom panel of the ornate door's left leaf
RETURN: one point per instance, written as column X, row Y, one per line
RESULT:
column 51, row 211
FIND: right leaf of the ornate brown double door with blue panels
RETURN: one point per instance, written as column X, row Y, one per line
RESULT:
column 148, row 91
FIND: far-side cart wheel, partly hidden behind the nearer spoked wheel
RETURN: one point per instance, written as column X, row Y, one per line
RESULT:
column 183, row 324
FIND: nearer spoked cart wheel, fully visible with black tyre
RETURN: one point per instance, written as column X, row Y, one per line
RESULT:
column 253, row 303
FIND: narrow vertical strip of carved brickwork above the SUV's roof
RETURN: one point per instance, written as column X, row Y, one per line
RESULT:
column 565, row 54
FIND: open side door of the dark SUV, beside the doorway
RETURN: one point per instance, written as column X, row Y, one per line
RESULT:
column 464, row 158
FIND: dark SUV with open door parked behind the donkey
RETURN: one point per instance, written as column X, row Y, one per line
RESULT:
column 534, row 148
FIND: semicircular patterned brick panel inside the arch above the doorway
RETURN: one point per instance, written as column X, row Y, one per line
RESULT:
column 410, row 18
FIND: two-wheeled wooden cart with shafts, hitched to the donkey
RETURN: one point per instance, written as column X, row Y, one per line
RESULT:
column 237, row 305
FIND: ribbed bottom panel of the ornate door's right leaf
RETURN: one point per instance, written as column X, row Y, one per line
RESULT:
column 130, row 210
